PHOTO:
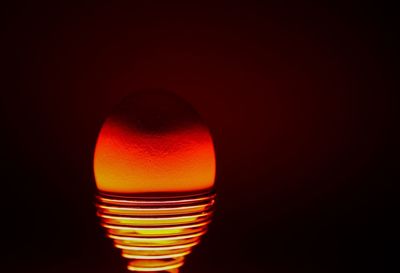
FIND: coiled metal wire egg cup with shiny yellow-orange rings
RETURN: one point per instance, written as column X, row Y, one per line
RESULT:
column 155, row 234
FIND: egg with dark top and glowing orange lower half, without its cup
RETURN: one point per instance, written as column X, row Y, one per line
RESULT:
column 154, row 142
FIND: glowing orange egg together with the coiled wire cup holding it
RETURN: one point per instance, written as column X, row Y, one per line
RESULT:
column 154, row 166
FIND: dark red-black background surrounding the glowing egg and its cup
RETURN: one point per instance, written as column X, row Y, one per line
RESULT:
column 299, row 98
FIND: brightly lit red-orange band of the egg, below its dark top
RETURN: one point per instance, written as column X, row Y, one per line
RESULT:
column 127, row 161
